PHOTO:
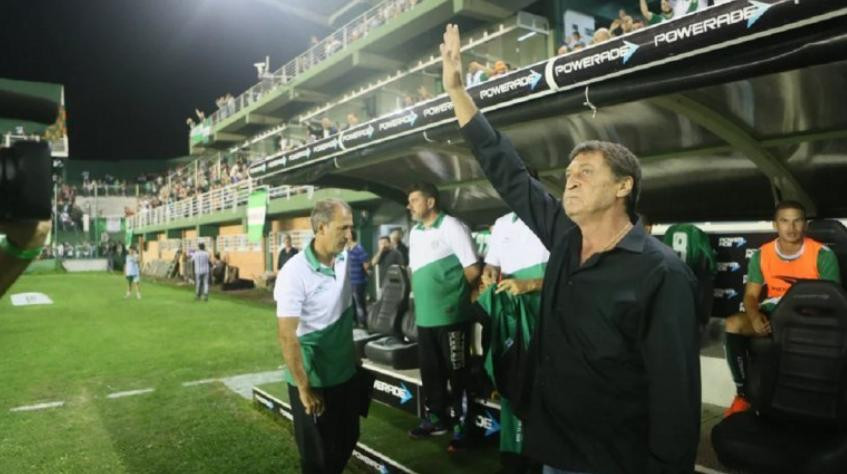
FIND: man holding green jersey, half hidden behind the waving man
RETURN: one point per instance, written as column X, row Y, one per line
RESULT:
column 515, row 264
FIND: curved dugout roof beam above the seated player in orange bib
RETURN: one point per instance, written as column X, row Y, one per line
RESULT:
column 784, row 184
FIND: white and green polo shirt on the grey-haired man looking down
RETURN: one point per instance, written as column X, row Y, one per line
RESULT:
column 321, row 297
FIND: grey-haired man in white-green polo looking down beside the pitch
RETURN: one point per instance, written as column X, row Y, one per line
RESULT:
column 315, row 329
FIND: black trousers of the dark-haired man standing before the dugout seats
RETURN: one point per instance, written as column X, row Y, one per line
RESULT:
column 444, row 352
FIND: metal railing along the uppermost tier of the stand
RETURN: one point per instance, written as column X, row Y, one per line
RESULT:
column 354, row 30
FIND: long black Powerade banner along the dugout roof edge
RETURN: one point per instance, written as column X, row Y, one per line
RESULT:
column 719, row 27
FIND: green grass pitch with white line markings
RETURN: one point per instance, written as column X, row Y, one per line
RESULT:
column 92, row 342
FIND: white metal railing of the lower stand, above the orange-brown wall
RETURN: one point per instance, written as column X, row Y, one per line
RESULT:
column 217, row 200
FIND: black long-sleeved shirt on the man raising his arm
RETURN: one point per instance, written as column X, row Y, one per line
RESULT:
column 616, row 368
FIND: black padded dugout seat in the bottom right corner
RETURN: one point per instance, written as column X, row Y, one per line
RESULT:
column 798, row 388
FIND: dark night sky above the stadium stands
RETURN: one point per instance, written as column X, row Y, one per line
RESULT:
column 133, row 70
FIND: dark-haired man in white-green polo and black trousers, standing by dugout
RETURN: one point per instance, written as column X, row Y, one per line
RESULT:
column 444, row 266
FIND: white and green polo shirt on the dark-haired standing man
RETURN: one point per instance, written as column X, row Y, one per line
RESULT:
column 438, row 255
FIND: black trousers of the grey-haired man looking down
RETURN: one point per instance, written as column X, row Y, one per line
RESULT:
column 326, row 442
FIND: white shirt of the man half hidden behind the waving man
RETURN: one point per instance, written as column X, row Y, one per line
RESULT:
column 516, row 249
